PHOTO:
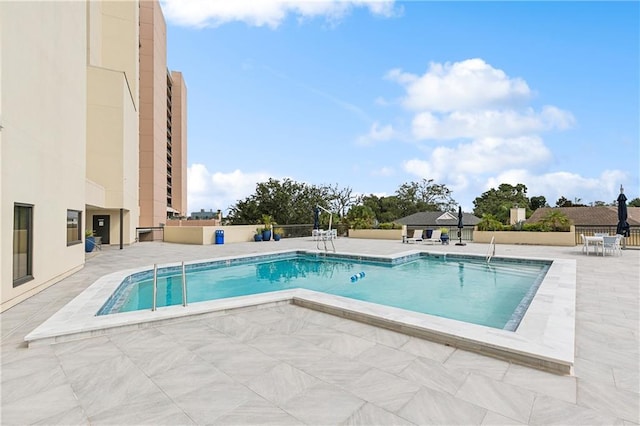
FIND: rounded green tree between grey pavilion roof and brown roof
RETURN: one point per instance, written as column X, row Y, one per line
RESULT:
column 498, row 202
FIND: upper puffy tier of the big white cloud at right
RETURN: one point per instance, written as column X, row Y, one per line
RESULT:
column 466, row 85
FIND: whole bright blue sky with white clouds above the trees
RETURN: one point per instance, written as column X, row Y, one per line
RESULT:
column 373, row 94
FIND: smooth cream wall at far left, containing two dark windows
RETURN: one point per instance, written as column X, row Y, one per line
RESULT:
column 42, row 154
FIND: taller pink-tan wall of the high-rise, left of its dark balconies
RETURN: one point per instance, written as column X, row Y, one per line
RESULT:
column 153, row 115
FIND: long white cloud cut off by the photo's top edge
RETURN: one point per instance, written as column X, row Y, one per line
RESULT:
column 270, row 13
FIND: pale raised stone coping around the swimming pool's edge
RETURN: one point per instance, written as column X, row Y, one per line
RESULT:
column 544, row 339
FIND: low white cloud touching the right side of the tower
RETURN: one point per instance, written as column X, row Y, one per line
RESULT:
column 218, row 190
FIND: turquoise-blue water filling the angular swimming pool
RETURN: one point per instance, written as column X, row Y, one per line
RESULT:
column 463, row 288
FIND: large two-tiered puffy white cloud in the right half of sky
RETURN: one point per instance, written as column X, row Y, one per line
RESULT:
column 471, row 99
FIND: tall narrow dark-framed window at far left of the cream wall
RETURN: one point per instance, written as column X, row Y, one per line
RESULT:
column 22, row 243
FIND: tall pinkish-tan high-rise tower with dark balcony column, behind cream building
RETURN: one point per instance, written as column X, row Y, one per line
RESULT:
column 163, row 157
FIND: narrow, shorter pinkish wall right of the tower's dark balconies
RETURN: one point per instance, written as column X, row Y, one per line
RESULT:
column 179, row 143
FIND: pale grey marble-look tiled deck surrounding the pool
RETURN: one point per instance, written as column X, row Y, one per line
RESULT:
column 285, row 364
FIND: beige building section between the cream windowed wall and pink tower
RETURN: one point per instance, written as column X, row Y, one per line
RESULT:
column 112, row 115
